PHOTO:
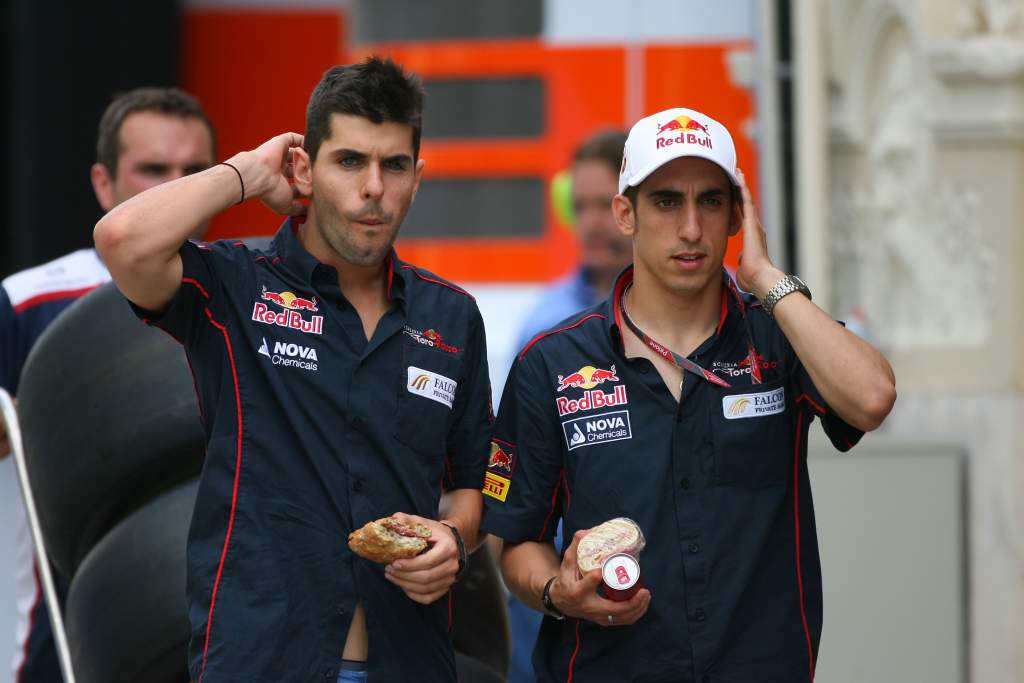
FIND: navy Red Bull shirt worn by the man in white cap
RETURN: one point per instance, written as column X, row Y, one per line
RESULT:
column 718, row 483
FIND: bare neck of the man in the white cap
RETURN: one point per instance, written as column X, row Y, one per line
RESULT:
column 680, row 321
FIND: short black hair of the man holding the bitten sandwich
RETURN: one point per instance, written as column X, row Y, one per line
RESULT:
column 376, row 90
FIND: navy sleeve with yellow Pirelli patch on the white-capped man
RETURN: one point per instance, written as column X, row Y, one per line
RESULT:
column 524, row 489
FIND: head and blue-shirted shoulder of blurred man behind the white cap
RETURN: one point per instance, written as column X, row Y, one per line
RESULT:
column 605, row 252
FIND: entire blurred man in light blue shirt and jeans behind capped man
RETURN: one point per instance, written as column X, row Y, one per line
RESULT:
column 605, row 252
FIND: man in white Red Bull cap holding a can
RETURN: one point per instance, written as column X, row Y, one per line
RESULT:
column 708, row 453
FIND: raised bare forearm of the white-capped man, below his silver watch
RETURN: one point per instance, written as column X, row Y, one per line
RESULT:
column 851, row 375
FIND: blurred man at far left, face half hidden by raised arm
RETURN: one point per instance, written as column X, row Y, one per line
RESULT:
column 147, row 137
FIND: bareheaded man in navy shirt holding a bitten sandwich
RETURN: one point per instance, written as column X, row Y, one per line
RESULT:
column 338, row 386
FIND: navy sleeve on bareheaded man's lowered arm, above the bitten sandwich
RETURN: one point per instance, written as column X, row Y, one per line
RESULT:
column 471, row 432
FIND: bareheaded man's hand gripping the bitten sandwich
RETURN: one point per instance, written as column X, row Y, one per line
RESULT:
column 429, row 577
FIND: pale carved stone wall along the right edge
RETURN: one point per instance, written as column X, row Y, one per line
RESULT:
column 927, row 253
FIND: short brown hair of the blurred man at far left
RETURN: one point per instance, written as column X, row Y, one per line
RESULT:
column 172, row 102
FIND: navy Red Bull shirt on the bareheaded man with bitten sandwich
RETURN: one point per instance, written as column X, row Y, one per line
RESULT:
column 313, row 432
